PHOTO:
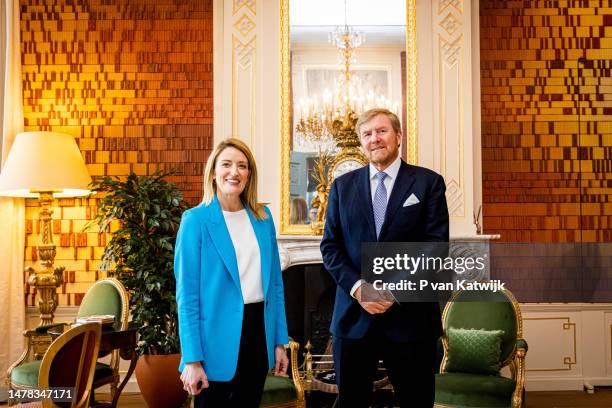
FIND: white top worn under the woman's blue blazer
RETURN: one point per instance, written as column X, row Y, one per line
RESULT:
column 247, row 254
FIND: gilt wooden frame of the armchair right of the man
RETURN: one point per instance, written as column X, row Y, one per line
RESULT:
column 515, row 360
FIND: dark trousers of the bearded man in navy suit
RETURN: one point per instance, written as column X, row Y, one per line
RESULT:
column 410, row 366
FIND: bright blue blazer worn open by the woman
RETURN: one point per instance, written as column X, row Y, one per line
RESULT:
column 208, row 293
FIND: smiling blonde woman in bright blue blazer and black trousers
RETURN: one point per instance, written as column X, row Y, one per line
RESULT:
column 229, row 293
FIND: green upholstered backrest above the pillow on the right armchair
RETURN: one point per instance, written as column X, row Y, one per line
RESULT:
column 487, row 311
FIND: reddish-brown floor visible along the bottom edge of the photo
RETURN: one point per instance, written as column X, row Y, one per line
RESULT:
column 550, row 399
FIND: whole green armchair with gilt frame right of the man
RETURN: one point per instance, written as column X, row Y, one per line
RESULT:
column 483, row 332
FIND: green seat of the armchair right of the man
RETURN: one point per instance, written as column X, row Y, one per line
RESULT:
column 473, row 390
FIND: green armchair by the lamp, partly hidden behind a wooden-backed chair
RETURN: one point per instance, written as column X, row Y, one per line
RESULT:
column 104, row 297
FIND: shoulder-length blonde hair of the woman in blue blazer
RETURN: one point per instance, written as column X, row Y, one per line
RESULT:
column 249, row 194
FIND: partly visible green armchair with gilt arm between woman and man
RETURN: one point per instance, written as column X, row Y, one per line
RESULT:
column 285, row 392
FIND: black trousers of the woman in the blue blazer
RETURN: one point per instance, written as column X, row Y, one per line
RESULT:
column 246, row 388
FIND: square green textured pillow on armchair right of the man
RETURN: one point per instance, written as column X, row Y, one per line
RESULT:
column 473, row 351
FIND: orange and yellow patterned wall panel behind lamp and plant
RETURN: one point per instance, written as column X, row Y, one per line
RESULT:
column 132, row 81
